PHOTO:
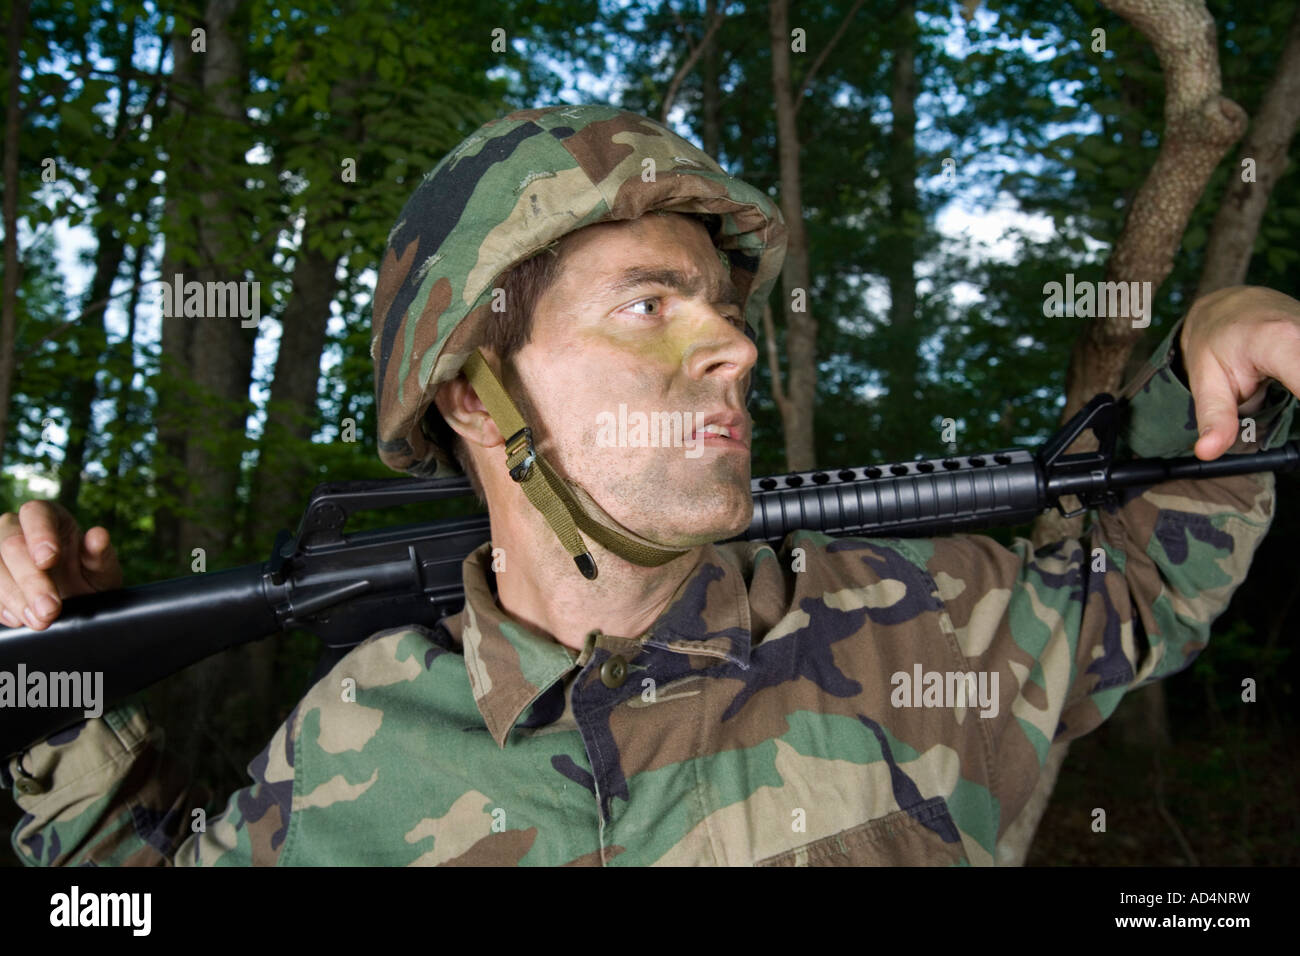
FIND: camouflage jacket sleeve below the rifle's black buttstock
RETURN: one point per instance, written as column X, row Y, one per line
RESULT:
column 103, row 794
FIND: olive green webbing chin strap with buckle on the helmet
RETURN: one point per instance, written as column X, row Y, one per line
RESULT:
column 569, row 511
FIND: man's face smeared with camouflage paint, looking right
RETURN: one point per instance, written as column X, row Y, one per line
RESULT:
column 644, row 315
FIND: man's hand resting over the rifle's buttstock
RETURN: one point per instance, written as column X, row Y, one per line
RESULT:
column 45, row 559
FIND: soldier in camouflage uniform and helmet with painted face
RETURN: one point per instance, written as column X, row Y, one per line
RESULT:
column 619, row 690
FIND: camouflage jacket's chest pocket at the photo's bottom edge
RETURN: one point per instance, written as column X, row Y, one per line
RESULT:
column 921, row 837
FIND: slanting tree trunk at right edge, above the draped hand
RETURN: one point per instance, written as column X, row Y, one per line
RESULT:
column 1268, row 144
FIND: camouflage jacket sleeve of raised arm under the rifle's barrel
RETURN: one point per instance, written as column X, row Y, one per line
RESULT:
column 1072, row 628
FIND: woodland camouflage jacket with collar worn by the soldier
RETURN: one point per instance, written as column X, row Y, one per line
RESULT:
column 772, row 716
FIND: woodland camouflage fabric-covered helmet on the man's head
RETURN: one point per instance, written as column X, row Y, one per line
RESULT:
column 515, row 187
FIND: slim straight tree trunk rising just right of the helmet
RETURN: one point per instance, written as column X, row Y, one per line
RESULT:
column 800, row 323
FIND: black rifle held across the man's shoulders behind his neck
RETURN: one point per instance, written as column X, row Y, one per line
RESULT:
column 348, row 587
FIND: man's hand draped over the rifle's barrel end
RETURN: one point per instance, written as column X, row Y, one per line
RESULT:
column 1234, row 341
